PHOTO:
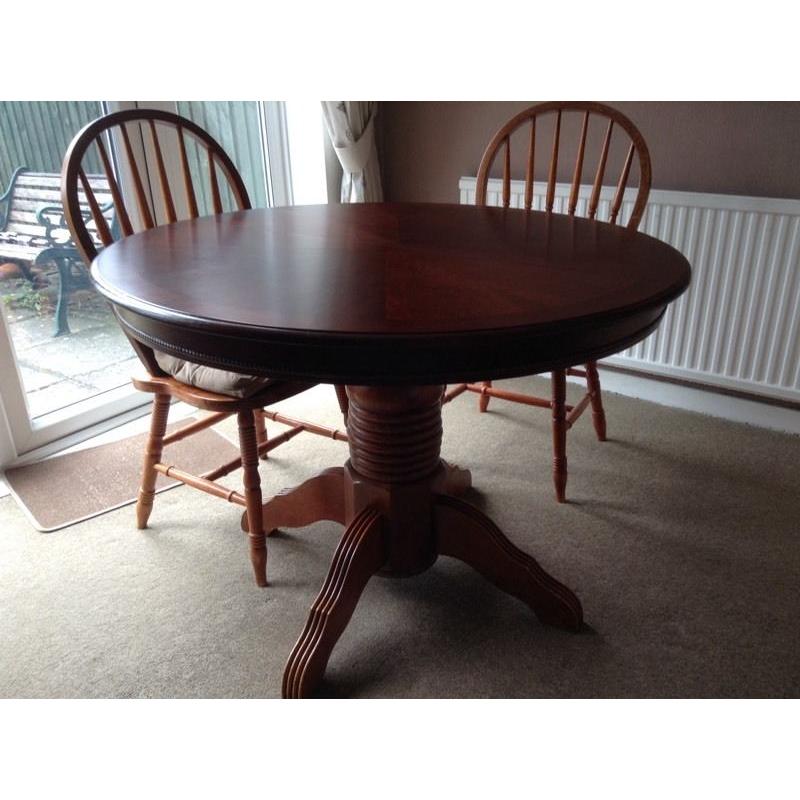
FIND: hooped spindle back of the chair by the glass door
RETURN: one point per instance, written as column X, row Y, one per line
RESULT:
column 90, row 224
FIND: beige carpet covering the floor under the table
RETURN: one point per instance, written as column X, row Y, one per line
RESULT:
column 682, row 539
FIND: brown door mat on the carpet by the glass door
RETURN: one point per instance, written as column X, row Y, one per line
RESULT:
column 63, row 490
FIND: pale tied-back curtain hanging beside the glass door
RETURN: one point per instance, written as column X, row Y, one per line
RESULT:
column 351, row 128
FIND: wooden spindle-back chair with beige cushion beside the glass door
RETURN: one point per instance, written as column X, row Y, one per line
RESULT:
column 217, row 391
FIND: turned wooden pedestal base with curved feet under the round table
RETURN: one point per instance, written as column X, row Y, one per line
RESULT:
column 396, row 498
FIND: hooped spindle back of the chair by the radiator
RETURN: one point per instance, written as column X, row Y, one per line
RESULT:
column 615, row 119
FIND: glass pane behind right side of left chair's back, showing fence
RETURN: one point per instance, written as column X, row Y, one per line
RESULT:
column 236, row 126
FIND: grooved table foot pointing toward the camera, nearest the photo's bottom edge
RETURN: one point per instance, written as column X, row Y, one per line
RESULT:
column 359, row 555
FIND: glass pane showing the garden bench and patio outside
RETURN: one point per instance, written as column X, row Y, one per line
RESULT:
column 68, row 345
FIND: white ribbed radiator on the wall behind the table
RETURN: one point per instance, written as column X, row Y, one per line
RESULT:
column 738, row 325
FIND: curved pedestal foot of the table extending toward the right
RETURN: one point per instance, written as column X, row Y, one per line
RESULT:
column 465, row 533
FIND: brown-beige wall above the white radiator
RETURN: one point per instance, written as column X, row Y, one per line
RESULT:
column 728, row 148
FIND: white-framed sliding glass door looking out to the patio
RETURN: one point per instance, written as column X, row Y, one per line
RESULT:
column 64, row 363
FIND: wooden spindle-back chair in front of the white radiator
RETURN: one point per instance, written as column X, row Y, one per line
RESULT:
column 524, row 125
